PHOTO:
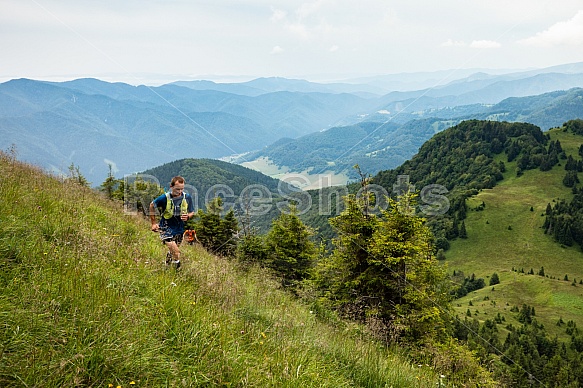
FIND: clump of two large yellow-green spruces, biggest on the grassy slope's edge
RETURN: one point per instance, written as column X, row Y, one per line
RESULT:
column 384, row 266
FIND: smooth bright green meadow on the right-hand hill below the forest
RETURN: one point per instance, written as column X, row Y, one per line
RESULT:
column 493, row 247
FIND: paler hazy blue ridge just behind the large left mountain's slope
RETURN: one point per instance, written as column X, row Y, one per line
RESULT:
column 283, row 112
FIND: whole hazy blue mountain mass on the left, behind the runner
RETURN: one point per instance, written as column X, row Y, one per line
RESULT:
column 91, row 123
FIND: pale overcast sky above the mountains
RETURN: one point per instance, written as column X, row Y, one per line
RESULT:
column 157, row 41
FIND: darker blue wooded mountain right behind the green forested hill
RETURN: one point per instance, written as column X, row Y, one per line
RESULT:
column 381, row 145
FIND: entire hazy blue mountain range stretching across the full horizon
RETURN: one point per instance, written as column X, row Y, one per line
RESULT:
column 296, row 124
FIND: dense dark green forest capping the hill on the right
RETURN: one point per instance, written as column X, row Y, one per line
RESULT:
column 469, row 157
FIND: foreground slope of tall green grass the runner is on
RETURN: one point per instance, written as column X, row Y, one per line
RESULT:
column 85, row 301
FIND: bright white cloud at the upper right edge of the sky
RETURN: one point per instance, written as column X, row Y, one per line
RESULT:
column 569, row 32
